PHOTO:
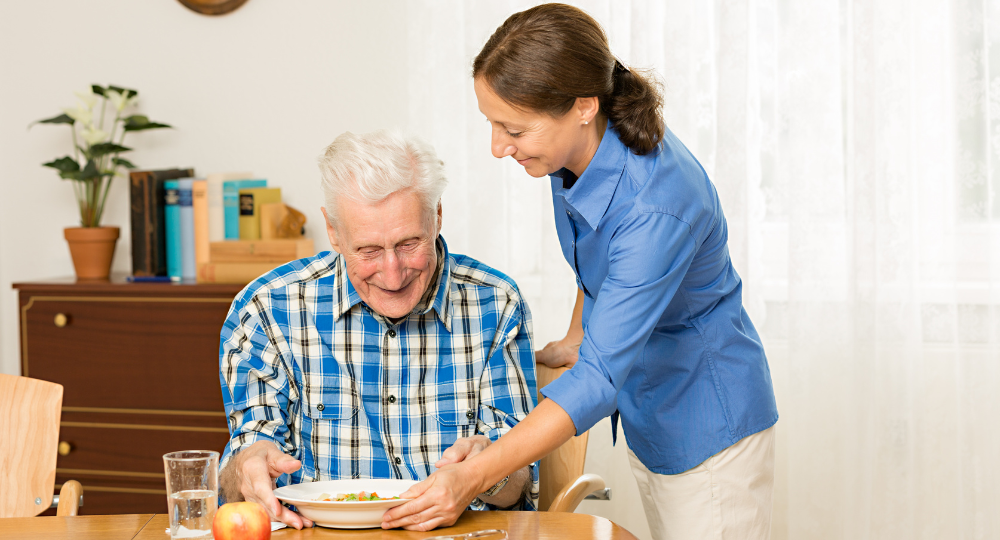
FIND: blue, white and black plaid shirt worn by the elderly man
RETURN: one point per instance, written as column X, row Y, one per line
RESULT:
column 307, row 365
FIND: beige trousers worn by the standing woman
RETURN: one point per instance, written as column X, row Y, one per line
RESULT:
column 727, row 497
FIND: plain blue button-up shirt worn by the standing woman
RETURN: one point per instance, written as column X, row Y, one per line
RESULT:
column 666, row 339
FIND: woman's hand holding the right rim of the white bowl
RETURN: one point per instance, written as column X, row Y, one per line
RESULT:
column 438, row 501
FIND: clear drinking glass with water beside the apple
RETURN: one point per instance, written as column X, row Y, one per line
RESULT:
column 192, row 492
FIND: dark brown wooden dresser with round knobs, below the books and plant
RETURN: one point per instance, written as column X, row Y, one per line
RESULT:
column 140, row 370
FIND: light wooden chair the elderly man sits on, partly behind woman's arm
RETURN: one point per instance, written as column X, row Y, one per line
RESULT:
column 562, row 484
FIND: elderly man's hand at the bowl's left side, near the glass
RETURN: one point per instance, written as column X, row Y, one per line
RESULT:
column 250, row 476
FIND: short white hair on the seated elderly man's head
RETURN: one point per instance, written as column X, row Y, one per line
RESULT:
column 372, row 166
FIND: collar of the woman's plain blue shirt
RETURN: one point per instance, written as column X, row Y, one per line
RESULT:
column 591, row 194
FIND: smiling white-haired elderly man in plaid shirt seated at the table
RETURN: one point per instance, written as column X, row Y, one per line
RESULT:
column 385, row 359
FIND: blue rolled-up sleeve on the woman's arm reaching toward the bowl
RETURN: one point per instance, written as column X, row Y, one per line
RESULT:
column 641, row 282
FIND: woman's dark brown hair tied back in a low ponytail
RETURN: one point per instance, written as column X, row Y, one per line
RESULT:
column 543, row 58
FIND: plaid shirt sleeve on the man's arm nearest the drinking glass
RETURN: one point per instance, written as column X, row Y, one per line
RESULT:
column 255, row 385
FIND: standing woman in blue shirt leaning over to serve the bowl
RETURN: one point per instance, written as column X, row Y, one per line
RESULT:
column 659, row 335
